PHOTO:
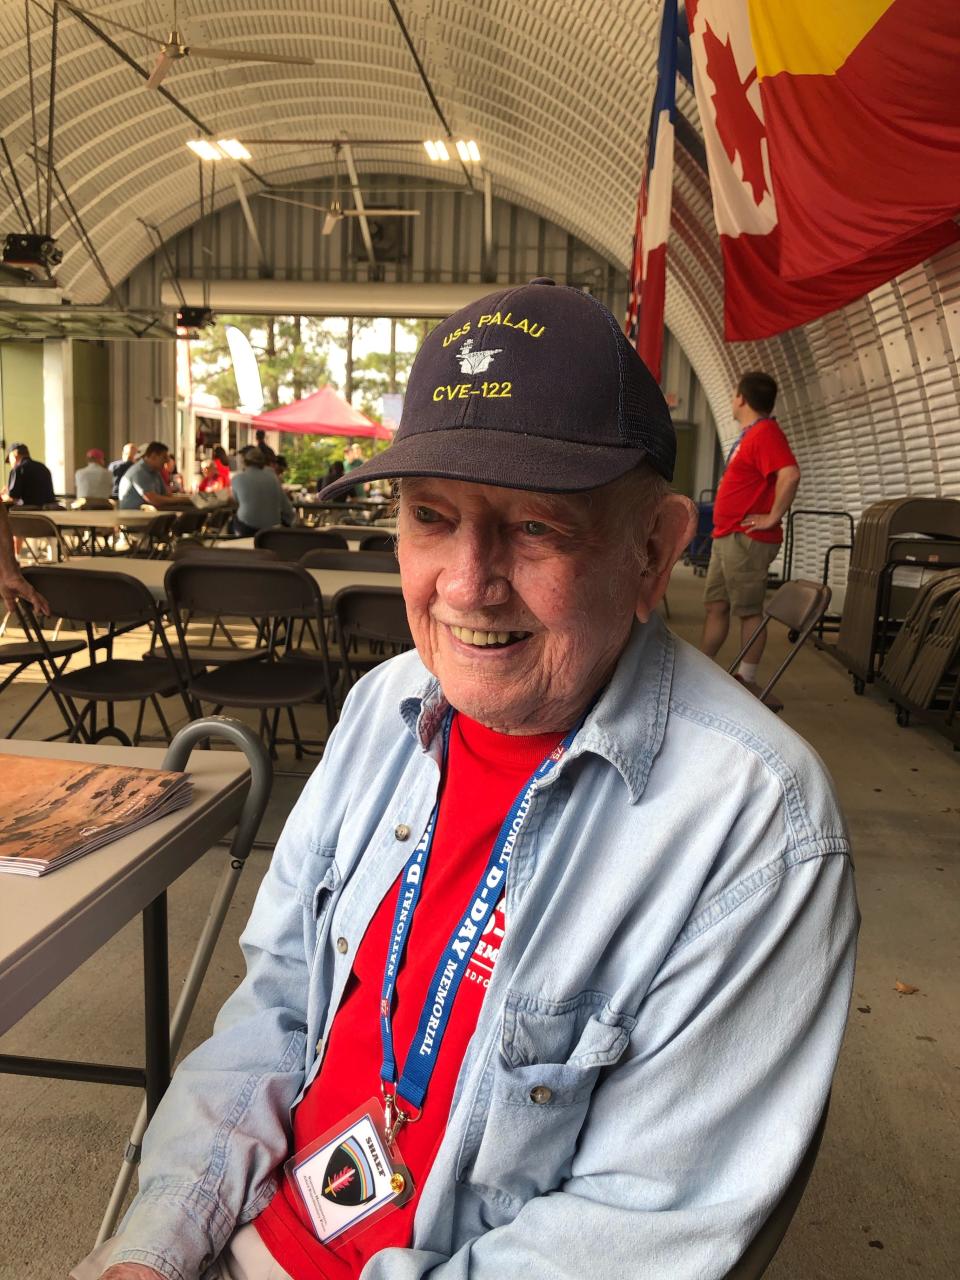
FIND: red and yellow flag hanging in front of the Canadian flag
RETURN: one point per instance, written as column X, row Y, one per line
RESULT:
column 862, row 107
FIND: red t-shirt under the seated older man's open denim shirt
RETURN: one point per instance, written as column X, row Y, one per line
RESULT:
column 483, row 778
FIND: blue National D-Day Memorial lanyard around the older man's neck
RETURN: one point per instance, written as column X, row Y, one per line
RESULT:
column 454, row 963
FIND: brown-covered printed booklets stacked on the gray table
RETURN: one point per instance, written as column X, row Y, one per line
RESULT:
column 61, row 810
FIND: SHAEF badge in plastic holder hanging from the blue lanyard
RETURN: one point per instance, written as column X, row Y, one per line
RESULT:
column 350, row 1177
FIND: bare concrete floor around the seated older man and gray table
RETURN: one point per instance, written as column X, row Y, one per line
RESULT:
column 883, row 1203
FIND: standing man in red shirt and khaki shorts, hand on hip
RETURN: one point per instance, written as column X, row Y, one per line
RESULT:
column 756, row 491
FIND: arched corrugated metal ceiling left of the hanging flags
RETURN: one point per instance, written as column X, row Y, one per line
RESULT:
column 556, row 94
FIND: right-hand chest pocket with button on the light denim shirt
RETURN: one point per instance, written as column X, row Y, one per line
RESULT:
column 536, row 1092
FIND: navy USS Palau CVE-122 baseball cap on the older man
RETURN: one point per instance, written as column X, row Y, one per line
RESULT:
column 529, row 388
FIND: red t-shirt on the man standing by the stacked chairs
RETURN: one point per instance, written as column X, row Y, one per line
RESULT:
column 751, row 479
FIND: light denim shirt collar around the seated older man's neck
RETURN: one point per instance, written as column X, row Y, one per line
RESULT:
column 625, row 728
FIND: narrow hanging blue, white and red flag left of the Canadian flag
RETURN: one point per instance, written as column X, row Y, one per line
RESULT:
column 648, row 277
